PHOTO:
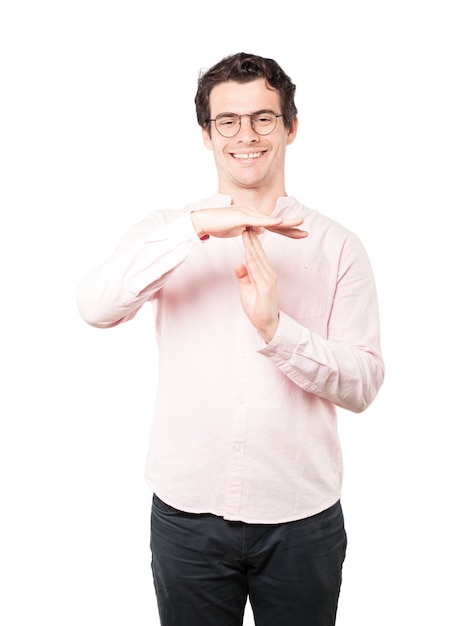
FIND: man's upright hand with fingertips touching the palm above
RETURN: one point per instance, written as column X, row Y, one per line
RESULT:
column 258, row 287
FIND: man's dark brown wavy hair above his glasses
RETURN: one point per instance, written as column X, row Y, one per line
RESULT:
column 244, row 68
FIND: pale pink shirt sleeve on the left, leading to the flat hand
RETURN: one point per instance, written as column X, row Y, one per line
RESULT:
column 114, row 291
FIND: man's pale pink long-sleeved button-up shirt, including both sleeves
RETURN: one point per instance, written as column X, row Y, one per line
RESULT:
column 244, row 429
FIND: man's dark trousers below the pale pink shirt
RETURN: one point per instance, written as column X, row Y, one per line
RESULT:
column 205, row 568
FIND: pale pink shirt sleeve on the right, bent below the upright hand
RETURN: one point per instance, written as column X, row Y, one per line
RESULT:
column 346, row 367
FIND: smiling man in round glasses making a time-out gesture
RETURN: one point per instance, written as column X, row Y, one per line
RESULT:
column 263, row 328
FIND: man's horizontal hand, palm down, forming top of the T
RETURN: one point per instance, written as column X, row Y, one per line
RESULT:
column 232, row 221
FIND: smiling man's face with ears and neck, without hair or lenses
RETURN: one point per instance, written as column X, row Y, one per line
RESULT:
column 248, row 160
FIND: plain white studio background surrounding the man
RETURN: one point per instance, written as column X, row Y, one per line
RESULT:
column 97, row 129
